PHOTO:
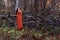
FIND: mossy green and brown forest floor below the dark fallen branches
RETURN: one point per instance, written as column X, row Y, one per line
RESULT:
column 7, row 33
